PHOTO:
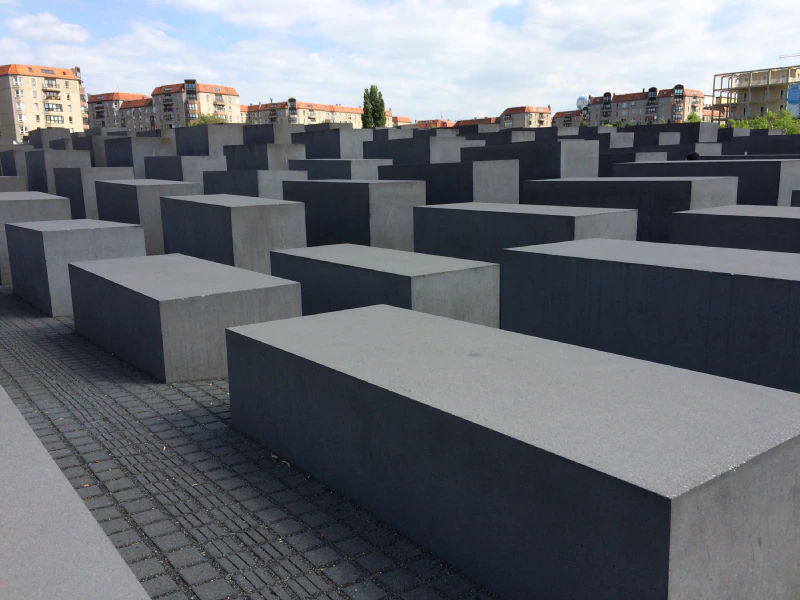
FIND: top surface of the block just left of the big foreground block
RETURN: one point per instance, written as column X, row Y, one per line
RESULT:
column 175, row 276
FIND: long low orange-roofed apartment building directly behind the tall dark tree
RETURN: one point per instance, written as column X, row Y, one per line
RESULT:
column 305, row 113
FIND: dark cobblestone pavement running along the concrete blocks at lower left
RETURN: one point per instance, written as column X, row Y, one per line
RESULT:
column 195, row 508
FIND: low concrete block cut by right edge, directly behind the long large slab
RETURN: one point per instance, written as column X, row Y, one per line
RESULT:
column 770, row 228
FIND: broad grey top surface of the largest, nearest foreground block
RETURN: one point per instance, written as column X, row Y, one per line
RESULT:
column 661, row 428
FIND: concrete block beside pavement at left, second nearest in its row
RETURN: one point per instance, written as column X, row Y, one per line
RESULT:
column 39, row 252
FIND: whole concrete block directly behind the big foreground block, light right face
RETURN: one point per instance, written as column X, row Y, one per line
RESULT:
column 349, row 276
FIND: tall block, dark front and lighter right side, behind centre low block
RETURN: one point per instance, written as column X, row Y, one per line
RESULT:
column 369, row 213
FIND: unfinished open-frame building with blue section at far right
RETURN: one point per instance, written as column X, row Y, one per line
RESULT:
column 748, row 94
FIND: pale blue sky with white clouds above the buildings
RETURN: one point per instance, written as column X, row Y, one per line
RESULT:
column 456, row 59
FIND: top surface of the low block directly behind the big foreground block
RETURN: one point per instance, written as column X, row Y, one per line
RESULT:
column 399, row 262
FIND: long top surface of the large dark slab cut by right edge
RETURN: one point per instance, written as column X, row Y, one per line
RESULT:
column 754, row 263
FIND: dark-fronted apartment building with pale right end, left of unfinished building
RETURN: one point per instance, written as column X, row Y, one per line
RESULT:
column 672, row 105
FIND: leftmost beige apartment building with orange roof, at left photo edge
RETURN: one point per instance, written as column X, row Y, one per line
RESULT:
column 33, row 96
